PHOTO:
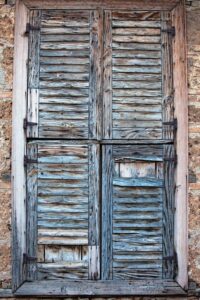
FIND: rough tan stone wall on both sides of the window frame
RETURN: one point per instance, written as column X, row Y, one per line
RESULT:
column 6, row 59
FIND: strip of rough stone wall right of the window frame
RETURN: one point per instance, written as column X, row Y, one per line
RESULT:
column 193, row 33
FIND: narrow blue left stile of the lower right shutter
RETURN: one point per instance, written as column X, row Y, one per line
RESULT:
column 107, row 206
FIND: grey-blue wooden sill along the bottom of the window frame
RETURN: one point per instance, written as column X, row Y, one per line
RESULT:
column 61, row 288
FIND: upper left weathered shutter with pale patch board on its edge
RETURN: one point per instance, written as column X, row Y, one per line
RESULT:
column 64, row 74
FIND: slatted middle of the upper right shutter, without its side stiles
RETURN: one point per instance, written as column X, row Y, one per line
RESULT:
column 136, row 75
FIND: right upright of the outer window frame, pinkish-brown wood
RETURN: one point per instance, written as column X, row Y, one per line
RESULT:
column 181, row 113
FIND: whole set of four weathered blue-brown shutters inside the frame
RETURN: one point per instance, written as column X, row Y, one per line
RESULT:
column 100, row 155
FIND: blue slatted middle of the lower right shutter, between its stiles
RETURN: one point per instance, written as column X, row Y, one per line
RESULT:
column 137, row 213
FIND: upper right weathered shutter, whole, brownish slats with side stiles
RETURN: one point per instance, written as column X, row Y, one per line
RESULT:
column 138, row 91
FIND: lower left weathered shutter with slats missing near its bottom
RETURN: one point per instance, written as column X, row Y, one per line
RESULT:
column 62, row 210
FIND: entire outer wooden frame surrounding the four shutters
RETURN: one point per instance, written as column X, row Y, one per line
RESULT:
column 103, row 288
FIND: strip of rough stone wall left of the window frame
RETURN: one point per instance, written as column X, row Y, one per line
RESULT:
column 6, row 65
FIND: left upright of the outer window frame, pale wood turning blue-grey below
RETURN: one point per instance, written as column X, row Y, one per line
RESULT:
column 18, row 147
